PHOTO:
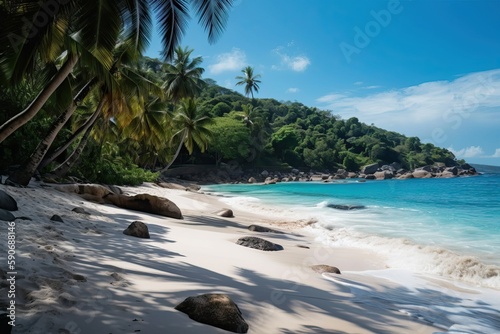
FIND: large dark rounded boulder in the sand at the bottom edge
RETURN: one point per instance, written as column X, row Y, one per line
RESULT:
column 216, row 310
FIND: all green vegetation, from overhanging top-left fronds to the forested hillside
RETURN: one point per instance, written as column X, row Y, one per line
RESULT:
column 77, row 97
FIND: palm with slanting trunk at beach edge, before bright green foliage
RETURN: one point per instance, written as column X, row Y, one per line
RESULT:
column 192, row 129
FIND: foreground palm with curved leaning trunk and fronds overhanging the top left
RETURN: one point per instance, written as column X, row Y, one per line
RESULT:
column 89, row 27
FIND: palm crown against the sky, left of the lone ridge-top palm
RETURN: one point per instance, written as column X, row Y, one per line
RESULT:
column 183, row 75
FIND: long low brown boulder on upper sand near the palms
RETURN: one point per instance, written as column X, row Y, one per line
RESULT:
column 146, row 203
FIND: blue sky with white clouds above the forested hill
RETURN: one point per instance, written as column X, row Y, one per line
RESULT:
column 428, row 68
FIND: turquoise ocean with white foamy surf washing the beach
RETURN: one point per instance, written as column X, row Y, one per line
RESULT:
column 440, row 228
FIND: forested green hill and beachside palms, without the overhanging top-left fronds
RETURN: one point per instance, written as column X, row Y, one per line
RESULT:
column 125, row 132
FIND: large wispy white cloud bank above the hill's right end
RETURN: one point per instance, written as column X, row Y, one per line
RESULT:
column 421, row 109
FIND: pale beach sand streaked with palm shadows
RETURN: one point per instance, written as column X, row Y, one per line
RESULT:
column 84, row 275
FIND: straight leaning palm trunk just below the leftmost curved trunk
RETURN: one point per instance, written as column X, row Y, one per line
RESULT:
column 23, row 175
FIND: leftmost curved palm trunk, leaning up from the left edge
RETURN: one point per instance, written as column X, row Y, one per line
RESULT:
column 27, row 114
